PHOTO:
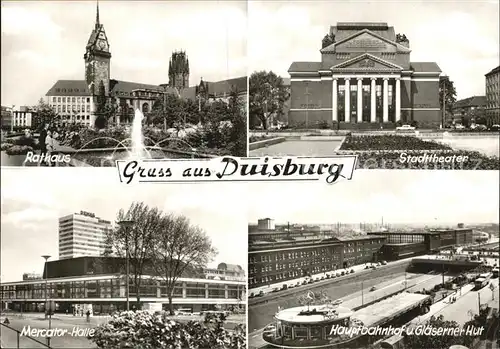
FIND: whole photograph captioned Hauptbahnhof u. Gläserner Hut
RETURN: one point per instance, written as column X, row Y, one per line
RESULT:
column 354, row 264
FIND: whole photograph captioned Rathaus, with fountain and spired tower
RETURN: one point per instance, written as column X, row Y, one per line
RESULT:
column 86, row 83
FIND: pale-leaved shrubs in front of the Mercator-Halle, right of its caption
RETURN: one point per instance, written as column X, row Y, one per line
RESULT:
column 150, row 331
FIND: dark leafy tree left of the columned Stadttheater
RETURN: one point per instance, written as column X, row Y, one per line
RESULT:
column 267, row 97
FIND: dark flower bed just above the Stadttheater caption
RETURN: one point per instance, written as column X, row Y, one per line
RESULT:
column 389, row 142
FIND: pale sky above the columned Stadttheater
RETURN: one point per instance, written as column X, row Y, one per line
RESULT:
column 462, row 37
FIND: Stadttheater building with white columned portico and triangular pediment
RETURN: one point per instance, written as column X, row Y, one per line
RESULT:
column 365, row 79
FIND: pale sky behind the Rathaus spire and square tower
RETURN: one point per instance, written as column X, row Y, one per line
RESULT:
column 44, row 41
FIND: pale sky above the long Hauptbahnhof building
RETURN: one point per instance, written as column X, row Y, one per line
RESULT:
column 400, row 196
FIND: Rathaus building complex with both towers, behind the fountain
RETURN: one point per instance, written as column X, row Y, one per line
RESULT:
column 75, row 101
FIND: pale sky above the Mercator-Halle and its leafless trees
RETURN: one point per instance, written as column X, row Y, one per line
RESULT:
column 34, row 199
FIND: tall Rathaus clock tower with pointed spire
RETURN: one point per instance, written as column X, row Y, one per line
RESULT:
column 97, row 58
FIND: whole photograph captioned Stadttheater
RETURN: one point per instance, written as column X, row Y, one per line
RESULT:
column 416, row 79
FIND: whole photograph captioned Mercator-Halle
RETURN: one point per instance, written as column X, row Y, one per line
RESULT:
column 113, row 266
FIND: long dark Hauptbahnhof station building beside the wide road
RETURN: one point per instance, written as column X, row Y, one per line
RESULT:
column 278, row 255
